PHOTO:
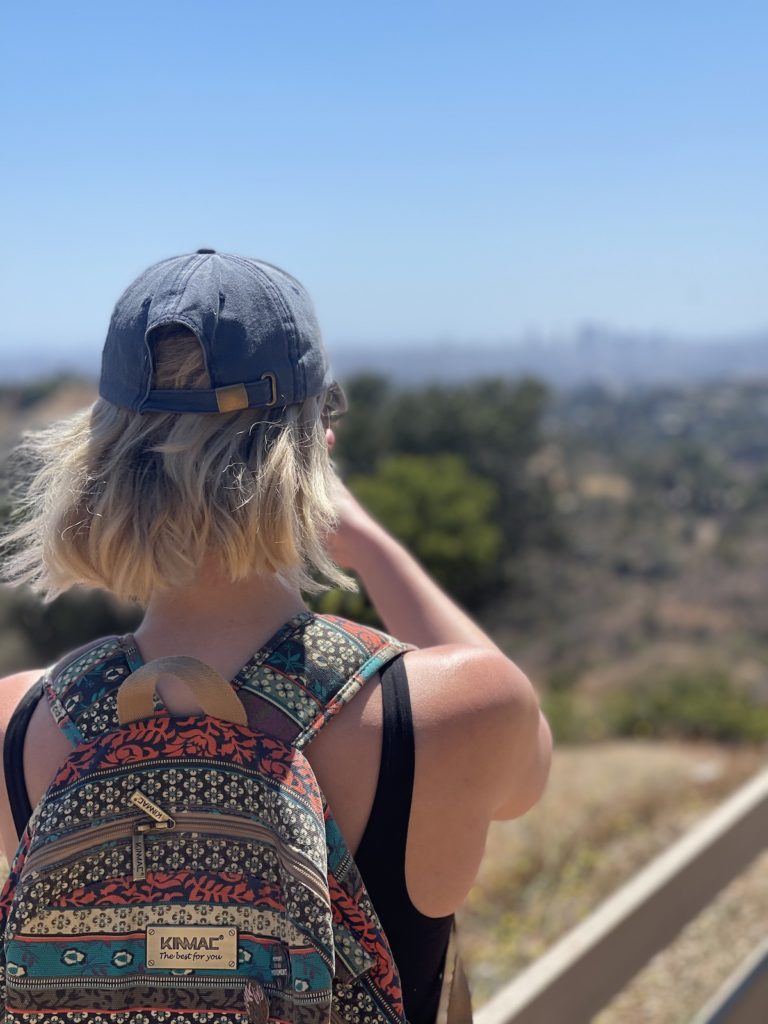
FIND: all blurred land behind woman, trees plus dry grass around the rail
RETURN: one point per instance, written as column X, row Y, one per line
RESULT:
column 613, row 542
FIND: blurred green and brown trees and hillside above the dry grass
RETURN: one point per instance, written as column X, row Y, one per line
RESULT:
column 612, row 542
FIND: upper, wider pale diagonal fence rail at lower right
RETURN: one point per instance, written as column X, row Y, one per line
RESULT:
column 582, row 973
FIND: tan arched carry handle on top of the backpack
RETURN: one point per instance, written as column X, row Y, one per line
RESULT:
column 211, row 691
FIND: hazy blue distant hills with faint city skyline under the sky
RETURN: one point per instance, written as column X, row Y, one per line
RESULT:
column 595, row 356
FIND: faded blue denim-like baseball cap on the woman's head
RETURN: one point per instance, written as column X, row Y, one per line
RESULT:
column 257, row 326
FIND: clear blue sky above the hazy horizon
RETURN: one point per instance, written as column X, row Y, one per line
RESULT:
column 430, row 170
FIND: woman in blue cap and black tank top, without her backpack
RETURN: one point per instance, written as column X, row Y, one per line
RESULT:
column 201, row 486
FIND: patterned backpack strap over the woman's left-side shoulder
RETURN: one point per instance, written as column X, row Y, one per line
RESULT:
column 81, row 689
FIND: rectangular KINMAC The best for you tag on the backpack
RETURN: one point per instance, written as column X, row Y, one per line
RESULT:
column 181, row 949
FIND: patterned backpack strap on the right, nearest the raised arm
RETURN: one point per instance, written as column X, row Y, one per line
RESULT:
column 317, row 668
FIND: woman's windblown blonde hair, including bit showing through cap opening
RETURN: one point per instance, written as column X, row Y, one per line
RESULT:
column 135, row 502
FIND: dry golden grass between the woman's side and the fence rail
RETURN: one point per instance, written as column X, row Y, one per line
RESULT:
column 609, row 810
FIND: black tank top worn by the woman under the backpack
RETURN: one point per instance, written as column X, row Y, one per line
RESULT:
column 419, row 944
